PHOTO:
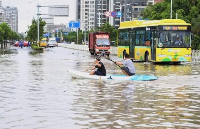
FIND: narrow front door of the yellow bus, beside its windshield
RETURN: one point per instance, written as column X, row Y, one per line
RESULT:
column 153, row 44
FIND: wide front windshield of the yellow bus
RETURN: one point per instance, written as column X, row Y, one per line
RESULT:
column 174, row 39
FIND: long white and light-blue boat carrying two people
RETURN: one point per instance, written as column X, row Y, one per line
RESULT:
column 85, row 75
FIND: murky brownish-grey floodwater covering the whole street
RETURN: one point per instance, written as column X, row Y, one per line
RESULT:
column 36, row 92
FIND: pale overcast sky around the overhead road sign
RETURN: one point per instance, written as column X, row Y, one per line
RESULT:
column 27, row 9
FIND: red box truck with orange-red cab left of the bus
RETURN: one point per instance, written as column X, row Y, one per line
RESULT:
column 99, row 43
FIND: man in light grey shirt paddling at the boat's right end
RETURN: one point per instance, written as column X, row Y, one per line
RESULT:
column 129, row 69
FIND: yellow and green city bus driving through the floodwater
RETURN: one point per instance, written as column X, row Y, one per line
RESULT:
column 167, row 40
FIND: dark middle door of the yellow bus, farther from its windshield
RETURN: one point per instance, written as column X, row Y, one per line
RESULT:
column 132, row 44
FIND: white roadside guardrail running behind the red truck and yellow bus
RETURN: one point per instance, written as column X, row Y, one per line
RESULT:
column 113, row 50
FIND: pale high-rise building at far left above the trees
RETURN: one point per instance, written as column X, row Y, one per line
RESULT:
column 11, row 17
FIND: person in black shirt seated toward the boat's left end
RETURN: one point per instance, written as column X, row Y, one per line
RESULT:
column 101, row 70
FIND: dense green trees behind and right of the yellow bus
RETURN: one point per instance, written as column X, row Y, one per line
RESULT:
column 187, row 10
